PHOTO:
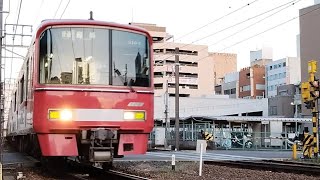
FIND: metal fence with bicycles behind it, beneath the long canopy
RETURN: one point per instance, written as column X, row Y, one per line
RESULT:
column 226, row 138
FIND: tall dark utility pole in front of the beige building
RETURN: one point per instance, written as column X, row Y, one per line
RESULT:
column 177, row 97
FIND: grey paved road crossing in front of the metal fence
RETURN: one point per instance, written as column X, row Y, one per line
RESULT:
column 215, row 155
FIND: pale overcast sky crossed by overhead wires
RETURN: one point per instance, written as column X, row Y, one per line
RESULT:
column 219, row 19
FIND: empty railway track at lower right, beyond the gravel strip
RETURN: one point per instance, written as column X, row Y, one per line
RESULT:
column 273, row 165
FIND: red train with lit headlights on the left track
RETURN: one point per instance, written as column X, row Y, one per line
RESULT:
column 85, row 90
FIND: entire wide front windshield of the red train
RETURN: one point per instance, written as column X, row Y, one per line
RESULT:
column 94, row 56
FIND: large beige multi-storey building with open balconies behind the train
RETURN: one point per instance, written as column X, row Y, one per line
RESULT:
column 199, row 70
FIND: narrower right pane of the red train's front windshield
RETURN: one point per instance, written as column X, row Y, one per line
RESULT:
column 130, row 59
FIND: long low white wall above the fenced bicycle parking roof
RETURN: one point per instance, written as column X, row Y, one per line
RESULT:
column 217, row 105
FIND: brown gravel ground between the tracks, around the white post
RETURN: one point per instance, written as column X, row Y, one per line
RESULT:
column 190, row 171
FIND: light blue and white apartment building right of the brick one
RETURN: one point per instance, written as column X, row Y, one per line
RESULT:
column 282, row 72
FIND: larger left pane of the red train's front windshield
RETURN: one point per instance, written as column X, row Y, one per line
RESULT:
column 75, row 56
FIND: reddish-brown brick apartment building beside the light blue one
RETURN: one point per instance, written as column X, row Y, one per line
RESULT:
column 252, row 82
